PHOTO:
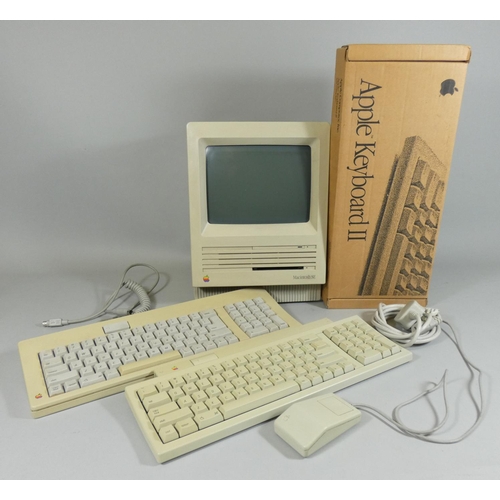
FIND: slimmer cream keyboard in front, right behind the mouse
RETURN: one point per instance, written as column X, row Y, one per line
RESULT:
column 192, row 403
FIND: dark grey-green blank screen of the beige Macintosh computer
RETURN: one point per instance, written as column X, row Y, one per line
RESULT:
column 256, row 184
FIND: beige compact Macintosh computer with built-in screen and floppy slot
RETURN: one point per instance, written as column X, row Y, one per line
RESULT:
column 258, row 202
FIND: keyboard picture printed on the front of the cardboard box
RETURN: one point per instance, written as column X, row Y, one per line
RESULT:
column 402, row 251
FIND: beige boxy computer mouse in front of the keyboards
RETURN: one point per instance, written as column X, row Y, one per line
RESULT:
column 310, row 424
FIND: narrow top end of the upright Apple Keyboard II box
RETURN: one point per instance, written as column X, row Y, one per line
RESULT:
column 444, row 53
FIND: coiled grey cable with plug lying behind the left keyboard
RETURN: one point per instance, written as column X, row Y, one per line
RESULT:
column 143, row 304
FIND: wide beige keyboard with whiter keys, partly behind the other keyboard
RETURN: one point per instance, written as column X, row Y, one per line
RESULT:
column 71, row 367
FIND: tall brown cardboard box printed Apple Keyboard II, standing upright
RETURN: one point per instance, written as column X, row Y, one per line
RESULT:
column 394, row 119
